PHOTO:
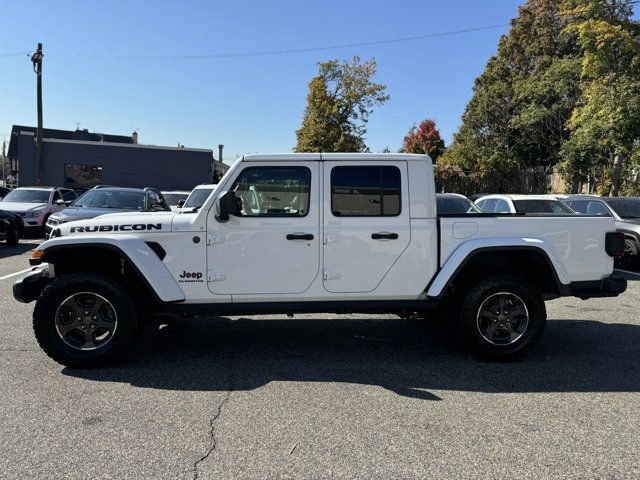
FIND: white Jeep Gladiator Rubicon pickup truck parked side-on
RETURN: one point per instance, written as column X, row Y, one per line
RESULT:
column 315, row 233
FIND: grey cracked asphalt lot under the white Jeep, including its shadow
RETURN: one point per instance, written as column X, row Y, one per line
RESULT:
column 320, row 397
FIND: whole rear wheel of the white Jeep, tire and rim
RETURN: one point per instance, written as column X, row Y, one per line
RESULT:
column 502, row 316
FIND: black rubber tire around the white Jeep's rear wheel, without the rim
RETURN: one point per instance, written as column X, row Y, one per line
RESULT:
column 469, row 325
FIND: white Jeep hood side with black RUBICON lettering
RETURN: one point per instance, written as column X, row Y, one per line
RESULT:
column 147, row 222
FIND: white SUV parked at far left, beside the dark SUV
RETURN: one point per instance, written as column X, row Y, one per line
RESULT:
column 35, row 204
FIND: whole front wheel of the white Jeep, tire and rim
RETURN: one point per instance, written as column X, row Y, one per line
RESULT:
column 85, row 320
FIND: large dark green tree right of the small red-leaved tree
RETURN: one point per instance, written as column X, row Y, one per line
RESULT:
column 522, row 101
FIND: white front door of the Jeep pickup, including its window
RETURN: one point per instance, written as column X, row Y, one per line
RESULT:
column 272, row 246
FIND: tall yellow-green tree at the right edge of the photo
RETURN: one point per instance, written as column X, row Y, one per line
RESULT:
column 605, row 125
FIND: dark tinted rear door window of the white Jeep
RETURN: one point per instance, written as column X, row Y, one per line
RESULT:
column 365, row 191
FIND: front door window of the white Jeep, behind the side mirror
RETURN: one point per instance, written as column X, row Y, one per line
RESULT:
column 274, row 191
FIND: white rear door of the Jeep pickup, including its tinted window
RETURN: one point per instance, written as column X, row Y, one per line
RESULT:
column 366, row 222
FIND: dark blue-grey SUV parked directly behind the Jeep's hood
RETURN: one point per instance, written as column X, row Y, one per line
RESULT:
column 102, row 200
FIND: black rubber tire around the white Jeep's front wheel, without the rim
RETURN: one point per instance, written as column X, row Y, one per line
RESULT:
column 44, row 320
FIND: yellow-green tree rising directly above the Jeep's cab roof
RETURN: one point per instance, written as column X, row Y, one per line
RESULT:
column 341, row 98
